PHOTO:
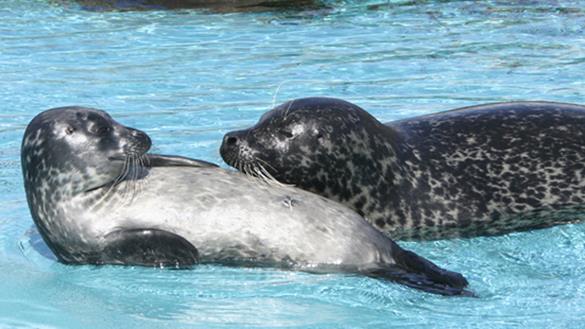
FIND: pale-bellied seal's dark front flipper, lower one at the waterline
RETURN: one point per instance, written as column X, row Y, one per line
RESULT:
column 148, row 247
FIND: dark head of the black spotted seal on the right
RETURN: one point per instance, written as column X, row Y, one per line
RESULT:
column 319, row 144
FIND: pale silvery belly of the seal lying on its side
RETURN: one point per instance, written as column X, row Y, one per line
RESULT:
column 231, row 218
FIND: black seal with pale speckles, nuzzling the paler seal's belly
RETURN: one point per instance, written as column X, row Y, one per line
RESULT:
column 481, row 170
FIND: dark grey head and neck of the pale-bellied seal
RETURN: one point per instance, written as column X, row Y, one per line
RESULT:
column 68, row 151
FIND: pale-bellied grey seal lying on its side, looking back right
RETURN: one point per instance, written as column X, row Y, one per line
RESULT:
column 97, row 197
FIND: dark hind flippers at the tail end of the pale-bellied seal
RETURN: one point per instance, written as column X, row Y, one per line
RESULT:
column 417, row 272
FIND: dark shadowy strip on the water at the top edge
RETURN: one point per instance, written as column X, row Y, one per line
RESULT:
column 210, row 5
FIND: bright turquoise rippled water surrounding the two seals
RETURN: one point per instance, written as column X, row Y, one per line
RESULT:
column 187, row 77
